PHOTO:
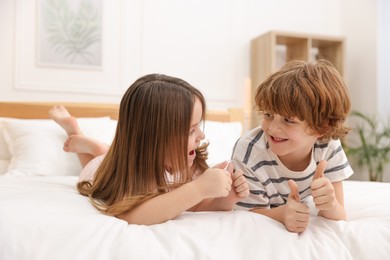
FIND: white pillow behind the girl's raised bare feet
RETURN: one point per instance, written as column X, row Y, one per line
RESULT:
column 36, row 145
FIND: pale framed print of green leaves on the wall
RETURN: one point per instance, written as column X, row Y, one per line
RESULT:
column 69, row 33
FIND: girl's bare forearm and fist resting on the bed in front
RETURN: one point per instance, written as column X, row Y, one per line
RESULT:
column 212, row 183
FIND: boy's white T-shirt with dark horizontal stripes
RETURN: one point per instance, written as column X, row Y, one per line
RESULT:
column 268, row 178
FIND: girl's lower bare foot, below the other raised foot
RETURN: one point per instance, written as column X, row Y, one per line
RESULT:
column 83, row 145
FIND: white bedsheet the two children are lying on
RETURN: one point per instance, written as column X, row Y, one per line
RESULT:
column 45, row 218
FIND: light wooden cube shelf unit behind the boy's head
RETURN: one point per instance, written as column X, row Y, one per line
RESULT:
column 272, row 50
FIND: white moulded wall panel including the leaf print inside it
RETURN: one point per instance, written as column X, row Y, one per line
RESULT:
column 77, row 46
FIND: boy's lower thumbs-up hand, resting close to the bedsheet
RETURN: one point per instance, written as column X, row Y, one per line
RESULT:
column 296, row 214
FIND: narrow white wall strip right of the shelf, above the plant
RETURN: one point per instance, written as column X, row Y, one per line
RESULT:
column 360, row 27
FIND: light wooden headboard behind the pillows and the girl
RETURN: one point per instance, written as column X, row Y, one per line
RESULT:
column 39, row 110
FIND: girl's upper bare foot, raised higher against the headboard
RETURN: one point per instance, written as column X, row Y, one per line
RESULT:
column 63, row 118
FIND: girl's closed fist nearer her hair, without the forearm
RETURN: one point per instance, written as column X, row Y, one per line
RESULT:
column 214, row 183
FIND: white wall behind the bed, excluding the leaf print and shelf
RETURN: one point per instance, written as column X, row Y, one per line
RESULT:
column 204, row 42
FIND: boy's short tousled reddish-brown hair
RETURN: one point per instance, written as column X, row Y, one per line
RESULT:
column 311, row 91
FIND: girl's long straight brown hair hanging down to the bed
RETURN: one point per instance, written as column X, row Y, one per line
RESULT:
column 153, row 129
